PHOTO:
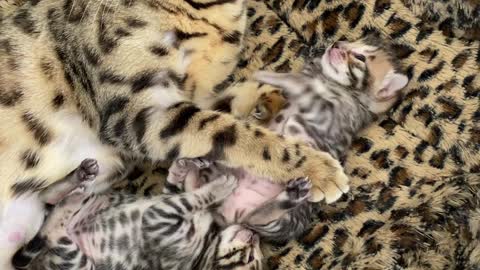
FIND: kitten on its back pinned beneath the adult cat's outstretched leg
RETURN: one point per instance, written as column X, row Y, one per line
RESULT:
column 331, row 100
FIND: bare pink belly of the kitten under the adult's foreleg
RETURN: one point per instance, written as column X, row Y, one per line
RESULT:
column 251, row 193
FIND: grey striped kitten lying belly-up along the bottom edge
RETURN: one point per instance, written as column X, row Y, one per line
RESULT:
column 116, row 231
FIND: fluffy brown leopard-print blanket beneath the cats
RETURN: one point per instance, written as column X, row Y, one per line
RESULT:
column 416, row 172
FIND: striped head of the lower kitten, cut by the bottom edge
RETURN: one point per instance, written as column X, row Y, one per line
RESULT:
column 238, row 248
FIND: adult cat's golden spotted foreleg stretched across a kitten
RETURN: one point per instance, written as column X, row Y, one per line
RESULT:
column 182, row 130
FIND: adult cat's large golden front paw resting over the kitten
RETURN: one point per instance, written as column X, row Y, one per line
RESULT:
column 329, row 180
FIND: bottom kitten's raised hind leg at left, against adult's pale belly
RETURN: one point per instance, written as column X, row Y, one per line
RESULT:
column 83, row 174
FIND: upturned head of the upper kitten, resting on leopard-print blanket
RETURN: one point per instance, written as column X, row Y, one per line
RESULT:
column 366, row 66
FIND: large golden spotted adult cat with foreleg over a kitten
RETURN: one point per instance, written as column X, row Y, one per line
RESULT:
column 119, row 79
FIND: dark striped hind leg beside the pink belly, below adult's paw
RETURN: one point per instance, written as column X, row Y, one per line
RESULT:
column 286, row 216
